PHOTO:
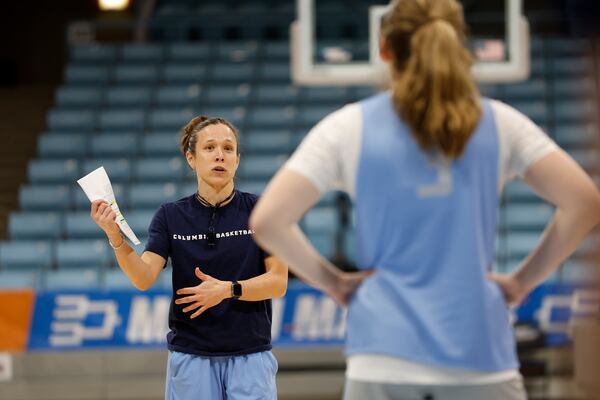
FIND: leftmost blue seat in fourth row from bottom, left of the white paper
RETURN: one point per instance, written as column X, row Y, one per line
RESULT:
column 44, row 197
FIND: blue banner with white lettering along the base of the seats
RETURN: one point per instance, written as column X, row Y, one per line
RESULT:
column 304, row 318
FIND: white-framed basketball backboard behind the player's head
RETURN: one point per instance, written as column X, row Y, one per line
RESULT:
column 333, row 44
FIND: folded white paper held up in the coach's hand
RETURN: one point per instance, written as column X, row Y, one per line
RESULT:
column 96, row 186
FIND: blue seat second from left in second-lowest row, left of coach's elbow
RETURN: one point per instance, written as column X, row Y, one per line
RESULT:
column 83, row 253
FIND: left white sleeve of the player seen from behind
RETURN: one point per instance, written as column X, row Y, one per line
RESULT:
column 328, row 155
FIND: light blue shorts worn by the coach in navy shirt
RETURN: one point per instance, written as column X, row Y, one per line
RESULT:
column 247, row 377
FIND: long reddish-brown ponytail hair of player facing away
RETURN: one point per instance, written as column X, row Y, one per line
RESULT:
column 433, row 89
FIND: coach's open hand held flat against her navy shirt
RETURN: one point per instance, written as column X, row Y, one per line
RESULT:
column 207, row 294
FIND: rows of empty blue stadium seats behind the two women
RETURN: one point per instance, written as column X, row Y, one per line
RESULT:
column 121, row 106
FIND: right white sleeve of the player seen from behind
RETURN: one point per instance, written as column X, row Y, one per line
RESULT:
column 521, row 141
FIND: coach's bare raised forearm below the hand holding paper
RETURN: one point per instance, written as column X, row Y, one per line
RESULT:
column 138, row 272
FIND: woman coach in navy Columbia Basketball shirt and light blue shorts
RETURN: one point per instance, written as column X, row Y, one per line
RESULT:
column 220, row 323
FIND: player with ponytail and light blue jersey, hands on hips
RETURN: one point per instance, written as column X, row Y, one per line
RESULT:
column 425, row 164
